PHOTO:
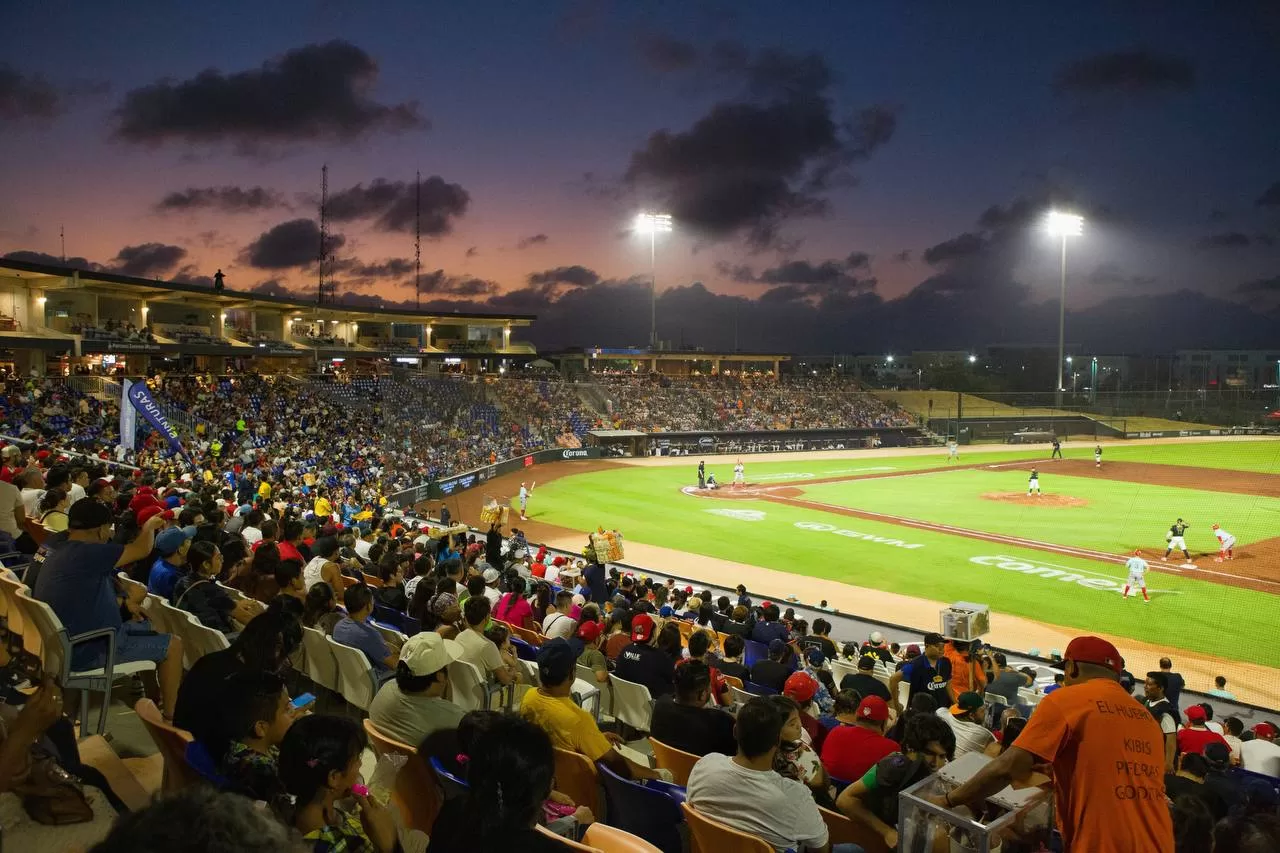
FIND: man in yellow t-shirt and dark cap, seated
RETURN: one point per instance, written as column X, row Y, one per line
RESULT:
column 552, row 708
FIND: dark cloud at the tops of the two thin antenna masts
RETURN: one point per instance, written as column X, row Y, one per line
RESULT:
column 394, row 206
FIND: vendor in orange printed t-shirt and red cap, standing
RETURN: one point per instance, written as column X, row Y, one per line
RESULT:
column 1108, row 758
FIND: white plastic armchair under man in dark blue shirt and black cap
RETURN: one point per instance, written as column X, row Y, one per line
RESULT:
column 57, row 647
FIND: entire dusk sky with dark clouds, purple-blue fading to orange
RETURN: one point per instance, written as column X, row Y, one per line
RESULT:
column 844, row 162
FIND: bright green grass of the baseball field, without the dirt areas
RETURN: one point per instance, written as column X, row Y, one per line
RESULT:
column 1186, row 613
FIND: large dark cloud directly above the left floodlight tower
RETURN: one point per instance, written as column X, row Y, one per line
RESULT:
column 752, row 165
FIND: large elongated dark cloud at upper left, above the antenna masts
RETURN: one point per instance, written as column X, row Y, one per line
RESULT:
column 317, row 93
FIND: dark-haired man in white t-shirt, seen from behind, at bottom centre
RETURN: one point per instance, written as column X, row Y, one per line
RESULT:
column 746, row 793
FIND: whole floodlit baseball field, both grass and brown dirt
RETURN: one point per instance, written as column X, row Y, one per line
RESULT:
column 899, row 535
